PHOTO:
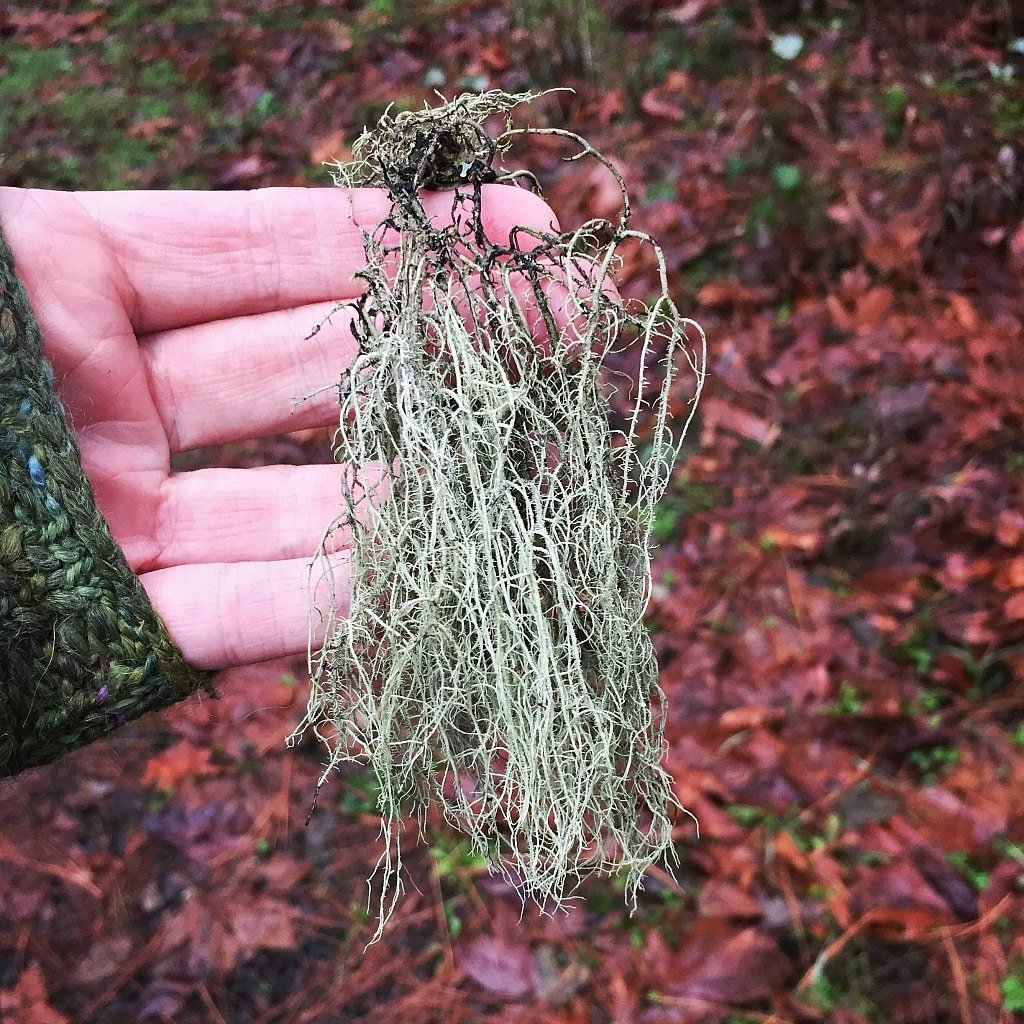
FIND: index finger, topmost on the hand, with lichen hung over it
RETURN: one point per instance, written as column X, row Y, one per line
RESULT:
column 190, row 258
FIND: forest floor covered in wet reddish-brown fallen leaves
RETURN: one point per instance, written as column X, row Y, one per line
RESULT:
column 839, row 579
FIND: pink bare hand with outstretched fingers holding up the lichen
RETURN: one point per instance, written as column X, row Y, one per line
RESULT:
column 179, row 320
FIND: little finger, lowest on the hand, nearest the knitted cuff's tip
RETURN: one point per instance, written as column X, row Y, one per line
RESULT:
column 227, row 615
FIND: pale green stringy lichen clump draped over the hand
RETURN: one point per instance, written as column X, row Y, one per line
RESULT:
column 495, row 659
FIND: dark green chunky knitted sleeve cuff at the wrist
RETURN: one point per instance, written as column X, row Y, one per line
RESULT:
column 82, row 651
